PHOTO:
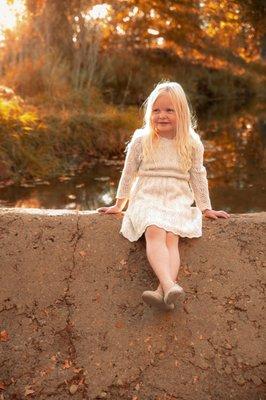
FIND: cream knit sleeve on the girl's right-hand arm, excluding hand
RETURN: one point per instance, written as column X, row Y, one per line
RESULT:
column 198, row 179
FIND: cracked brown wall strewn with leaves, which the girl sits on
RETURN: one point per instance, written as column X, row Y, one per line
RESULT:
column 73, row 324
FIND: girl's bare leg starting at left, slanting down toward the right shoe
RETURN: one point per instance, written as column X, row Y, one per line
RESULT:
column 159, row 256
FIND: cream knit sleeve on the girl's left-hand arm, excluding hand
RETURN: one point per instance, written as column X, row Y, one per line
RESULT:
column 131, row 166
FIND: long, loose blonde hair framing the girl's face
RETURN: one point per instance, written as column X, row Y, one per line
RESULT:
column 185, row 137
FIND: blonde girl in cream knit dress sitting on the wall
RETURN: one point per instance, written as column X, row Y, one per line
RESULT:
column 162, row 176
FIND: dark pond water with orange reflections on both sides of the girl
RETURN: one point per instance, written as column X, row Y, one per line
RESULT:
column 235, row 159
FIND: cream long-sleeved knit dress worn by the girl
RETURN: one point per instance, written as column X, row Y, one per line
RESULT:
column 161, row 193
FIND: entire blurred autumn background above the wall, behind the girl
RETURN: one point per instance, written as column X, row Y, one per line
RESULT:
column 73, row 76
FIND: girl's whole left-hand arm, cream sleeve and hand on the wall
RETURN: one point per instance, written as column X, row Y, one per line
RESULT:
column 129, row 173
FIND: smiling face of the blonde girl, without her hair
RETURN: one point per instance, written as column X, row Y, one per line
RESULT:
column 163, row 116
